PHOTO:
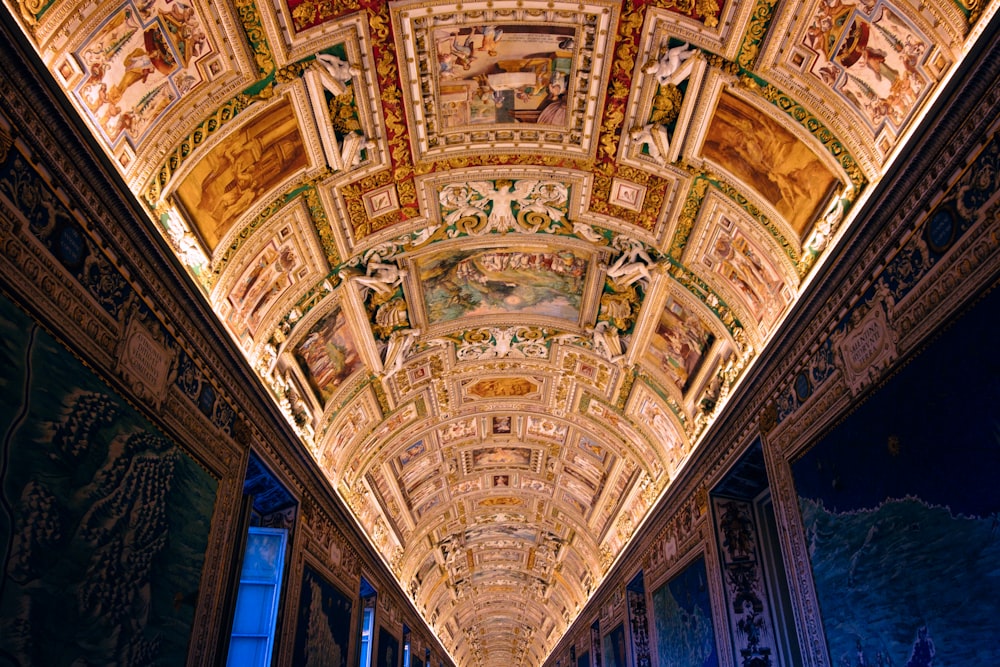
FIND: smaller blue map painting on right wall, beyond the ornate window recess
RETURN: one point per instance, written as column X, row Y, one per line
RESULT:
column 682, row 612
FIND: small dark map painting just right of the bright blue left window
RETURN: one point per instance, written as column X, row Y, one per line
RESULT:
column 323, row 630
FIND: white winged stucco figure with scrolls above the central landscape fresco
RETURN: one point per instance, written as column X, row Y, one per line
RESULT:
column 483, row 207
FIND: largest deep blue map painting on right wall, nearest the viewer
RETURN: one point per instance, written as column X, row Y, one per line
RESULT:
column 900, row 506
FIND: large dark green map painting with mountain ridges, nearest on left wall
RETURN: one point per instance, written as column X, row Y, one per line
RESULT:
column 104, row 522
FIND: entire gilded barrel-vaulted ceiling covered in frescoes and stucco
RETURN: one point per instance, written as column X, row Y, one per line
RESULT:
column 501, row 262
